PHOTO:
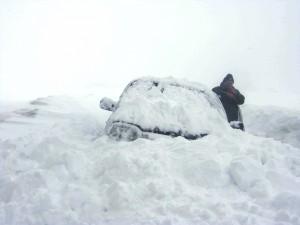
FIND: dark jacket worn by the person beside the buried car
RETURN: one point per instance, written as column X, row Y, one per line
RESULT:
column 230, row 99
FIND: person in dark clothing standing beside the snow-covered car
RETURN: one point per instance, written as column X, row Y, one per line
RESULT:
column 231, row 98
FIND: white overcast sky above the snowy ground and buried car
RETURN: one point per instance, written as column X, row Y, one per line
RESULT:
column 60, row 46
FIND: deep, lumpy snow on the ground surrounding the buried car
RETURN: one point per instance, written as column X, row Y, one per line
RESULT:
column 58, row 167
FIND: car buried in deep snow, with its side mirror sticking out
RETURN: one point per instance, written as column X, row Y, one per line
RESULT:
column 151, row 106
